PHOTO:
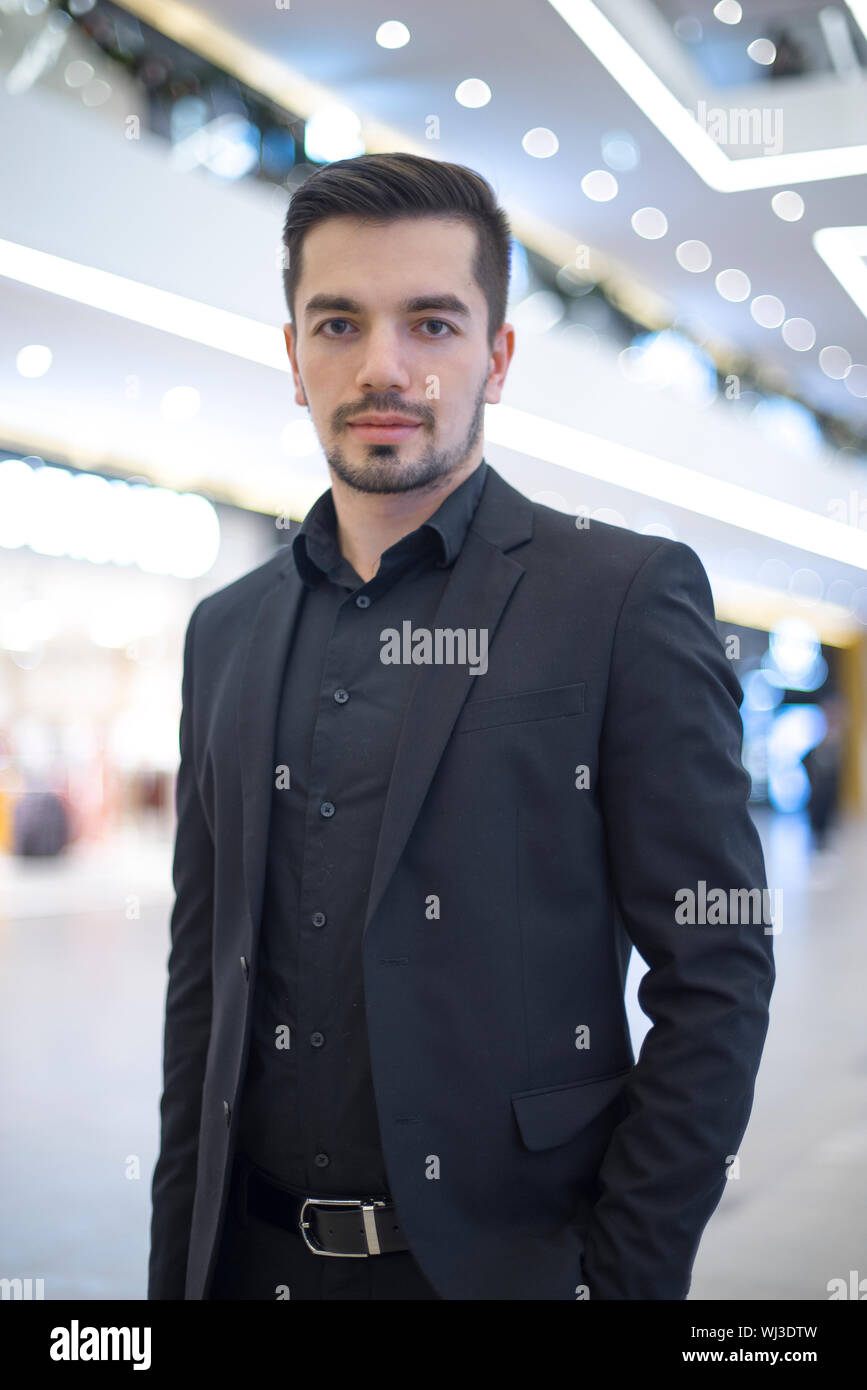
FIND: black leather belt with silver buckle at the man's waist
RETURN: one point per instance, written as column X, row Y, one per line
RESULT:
column 349, row 1227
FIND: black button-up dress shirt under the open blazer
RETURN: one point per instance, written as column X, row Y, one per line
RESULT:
column 309, row 1111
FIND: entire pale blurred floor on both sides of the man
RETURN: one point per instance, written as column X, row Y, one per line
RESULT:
column 83, row 981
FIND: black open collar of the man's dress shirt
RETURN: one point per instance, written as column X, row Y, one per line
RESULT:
column 316, row 543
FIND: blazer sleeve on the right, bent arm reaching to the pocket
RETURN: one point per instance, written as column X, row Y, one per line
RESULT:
column 673, row 793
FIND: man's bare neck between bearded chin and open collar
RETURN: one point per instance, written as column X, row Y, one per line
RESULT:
column 369, row 523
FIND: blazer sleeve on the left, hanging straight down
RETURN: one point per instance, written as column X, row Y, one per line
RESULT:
column 188, row 1015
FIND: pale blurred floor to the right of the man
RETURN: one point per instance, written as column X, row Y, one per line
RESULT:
column 797, row 1217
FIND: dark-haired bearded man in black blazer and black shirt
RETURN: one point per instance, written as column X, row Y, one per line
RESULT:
column 445, row 760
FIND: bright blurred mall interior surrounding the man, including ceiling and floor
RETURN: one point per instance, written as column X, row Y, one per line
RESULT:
column 688, row 193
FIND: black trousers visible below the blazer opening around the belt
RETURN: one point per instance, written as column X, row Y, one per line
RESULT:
column 258, row 1260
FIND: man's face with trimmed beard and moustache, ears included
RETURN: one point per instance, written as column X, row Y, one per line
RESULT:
column 390, row 320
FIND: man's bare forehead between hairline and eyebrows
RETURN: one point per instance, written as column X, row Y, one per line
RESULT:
column 401, row 254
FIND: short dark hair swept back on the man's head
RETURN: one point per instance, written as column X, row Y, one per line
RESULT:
column 383, row 188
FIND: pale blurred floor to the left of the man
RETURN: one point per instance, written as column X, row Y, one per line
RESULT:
column 83, row 983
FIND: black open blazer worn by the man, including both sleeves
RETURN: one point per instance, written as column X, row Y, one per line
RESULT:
column 541, row 819
